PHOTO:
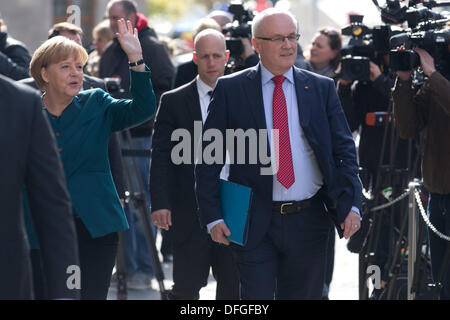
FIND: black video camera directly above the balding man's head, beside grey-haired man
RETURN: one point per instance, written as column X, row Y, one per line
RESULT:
column 239, row 28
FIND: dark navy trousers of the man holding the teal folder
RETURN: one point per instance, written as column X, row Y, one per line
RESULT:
column 289, row 263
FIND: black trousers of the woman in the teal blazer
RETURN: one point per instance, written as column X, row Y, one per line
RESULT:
column 97, row 259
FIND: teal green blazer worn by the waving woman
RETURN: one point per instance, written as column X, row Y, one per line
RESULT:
column 82, row 133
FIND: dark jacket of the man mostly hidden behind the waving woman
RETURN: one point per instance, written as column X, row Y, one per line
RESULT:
column 114, row 152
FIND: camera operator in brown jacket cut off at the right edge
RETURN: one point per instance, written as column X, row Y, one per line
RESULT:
column 429, row 109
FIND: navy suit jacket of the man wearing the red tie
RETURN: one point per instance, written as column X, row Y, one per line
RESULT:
column 238, row 104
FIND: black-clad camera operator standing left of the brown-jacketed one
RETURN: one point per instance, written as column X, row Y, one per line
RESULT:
column 378, row 146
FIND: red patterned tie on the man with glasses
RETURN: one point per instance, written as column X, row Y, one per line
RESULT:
column 285, row 173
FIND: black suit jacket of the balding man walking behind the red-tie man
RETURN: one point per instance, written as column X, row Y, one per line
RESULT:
column 172, row 186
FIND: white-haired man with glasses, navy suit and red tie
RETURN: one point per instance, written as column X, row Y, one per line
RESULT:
column 314, row 158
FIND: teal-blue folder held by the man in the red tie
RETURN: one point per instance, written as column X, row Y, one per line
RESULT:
column 236, row 200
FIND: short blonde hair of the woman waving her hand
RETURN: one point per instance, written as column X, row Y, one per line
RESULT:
column 53, row 51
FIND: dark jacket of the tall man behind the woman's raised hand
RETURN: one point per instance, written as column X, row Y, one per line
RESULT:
column 114, row 63
